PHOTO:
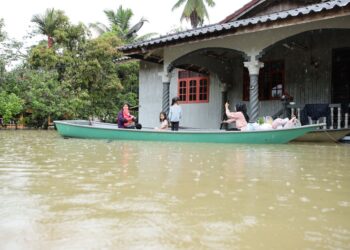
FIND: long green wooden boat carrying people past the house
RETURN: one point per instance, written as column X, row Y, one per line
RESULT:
column 98, row 130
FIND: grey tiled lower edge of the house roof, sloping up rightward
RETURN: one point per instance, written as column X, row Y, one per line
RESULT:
column 216, row 30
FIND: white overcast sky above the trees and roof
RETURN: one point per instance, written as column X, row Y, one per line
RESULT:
column 18, row 13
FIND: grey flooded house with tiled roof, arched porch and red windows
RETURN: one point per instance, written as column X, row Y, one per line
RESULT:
column 265, row 49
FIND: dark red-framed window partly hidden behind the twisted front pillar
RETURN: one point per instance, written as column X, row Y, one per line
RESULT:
column 271, row 81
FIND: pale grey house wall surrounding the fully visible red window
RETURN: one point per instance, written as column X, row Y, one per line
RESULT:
column 198, row 115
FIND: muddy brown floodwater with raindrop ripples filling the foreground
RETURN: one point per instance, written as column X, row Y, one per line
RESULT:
column 60, row 193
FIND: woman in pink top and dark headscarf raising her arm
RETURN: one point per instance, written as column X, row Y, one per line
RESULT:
column 240, row 116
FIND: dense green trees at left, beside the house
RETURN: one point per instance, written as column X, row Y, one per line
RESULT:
column 69, row 76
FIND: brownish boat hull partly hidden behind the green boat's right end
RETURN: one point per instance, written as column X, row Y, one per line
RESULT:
column 323, row 135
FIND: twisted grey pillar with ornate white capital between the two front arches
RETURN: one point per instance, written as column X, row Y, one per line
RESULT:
column 253, row 68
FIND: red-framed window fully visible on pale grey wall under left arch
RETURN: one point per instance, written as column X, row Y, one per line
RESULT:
column 193, row 87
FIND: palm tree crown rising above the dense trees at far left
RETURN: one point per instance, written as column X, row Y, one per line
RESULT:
column 48, row 23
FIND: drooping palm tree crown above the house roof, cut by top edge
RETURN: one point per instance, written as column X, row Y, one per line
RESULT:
column 194, row 11
